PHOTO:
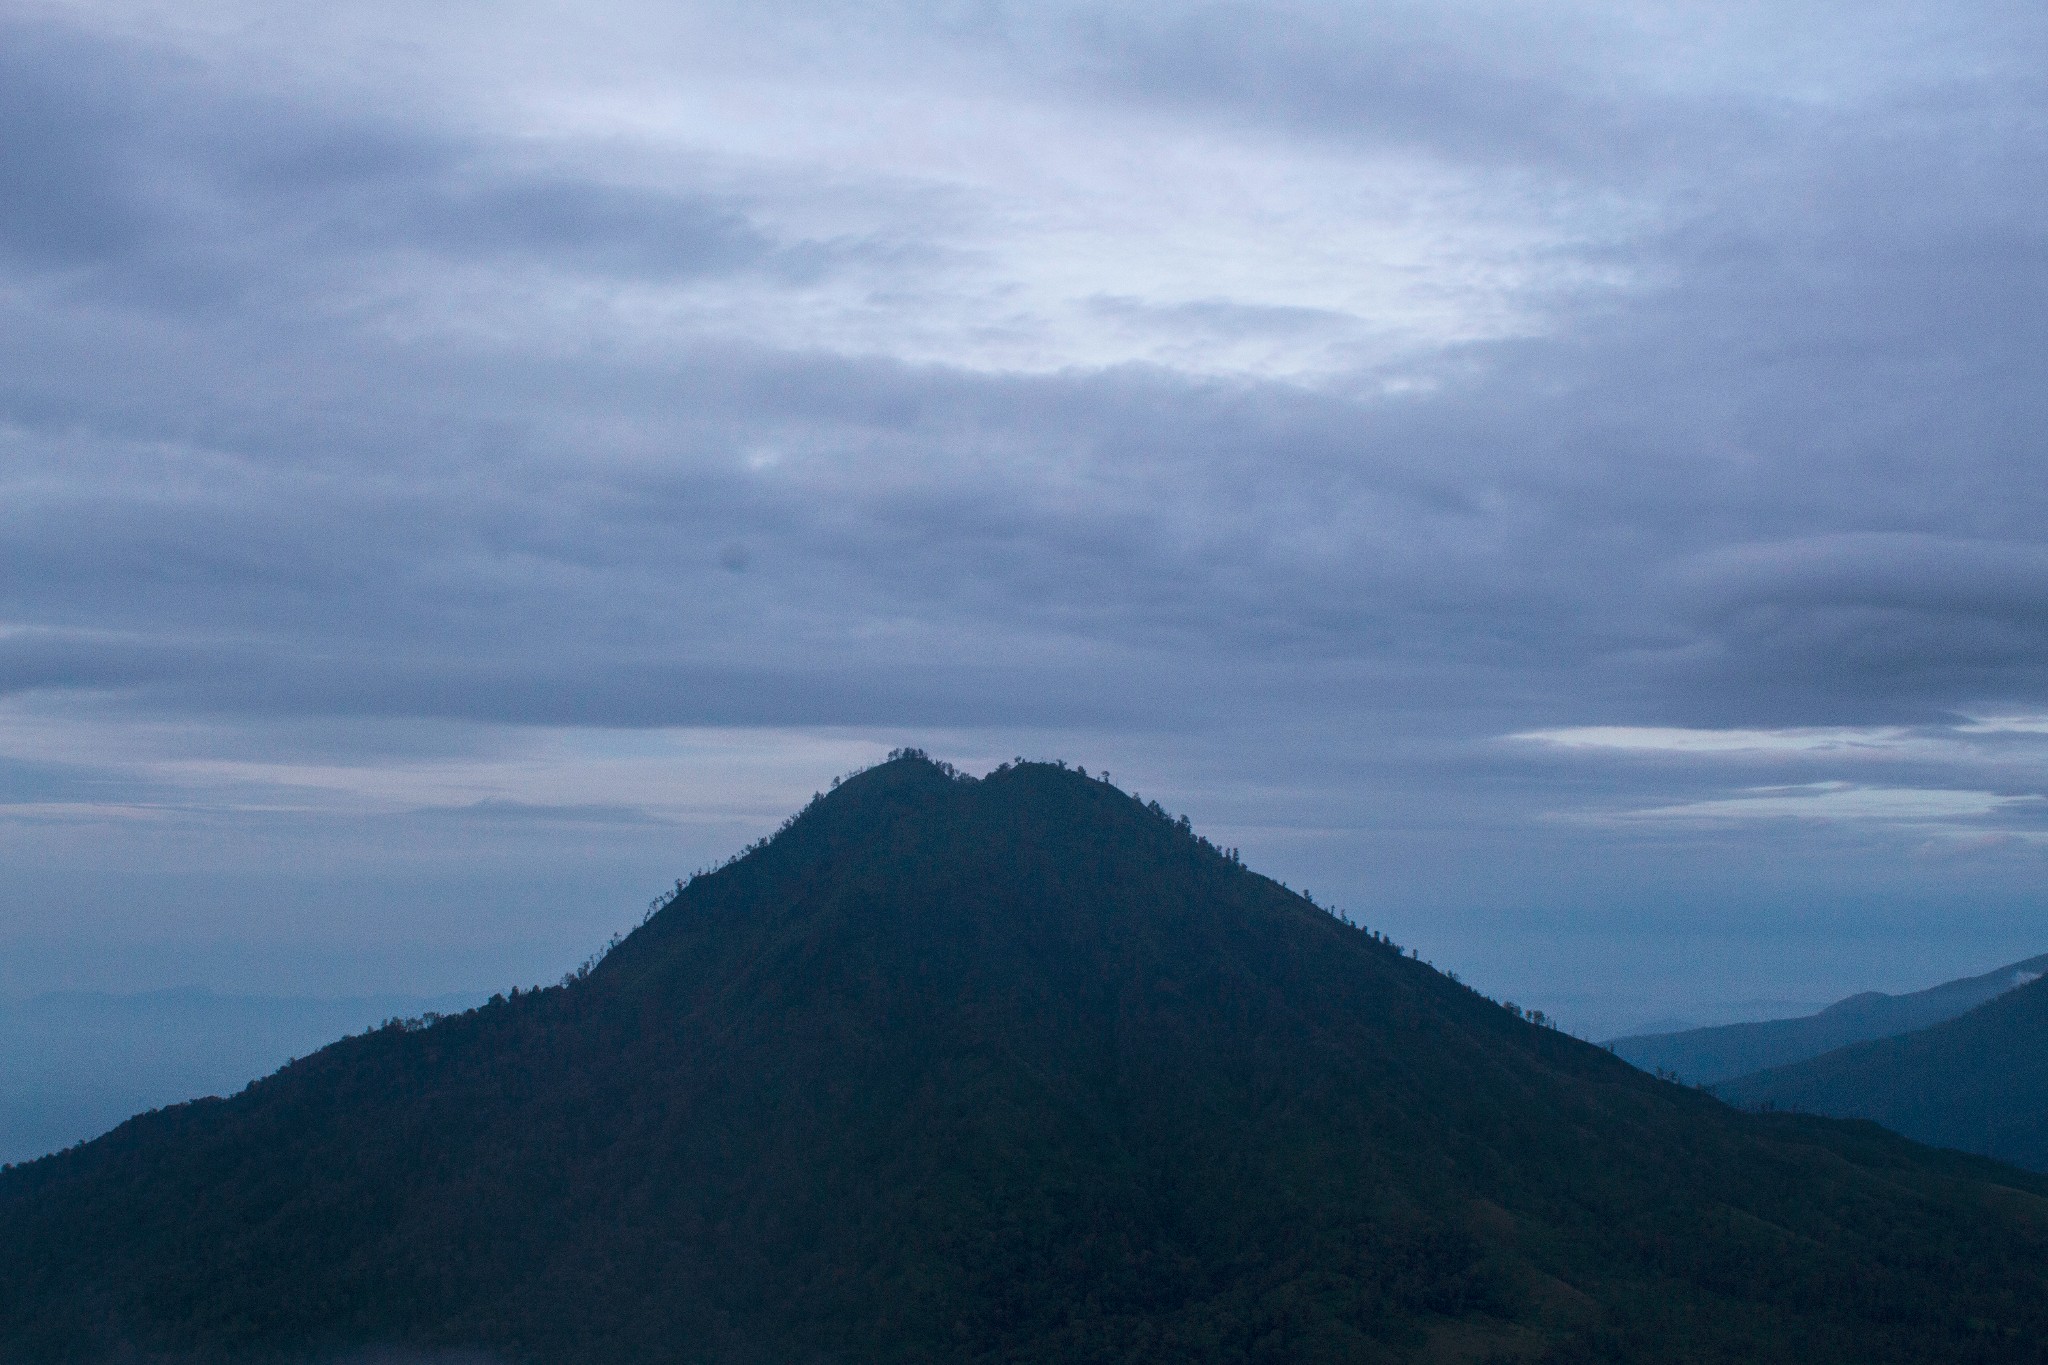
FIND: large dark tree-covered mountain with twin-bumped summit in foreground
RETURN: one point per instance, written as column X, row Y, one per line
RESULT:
column 1009, row 1071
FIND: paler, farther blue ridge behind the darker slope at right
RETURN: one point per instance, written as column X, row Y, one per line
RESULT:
column 1707, row 1057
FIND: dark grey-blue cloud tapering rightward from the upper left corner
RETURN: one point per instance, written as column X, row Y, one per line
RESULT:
column 146, row 181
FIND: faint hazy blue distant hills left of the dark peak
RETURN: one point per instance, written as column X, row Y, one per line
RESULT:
column 77, row 1063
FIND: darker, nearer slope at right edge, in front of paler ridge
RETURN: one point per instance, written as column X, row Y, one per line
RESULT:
column 1977, row 1084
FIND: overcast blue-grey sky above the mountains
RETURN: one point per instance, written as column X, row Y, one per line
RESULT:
column 1560, row 482
